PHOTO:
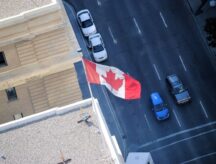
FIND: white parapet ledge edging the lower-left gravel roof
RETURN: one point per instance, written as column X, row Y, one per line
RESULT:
column 112, row 144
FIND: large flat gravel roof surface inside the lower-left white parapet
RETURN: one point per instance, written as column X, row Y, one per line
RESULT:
column 48, row 141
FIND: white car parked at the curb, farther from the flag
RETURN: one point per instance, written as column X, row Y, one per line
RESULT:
column 86, row 22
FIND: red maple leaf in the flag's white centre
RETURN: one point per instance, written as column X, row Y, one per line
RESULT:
column 110, row 79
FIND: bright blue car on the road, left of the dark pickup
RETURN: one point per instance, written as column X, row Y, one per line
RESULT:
column 159, row 107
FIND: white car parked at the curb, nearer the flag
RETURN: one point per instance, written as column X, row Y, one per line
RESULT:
column 97, row 46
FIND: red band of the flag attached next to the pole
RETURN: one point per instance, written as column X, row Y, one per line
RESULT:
column 92, row 75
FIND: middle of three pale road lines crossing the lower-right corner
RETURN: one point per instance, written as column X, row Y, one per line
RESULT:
column 185, row 139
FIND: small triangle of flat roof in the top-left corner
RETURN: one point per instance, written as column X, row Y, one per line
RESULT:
column 14, row 7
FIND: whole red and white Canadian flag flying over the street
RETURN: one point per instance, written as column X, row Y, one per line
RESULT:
column 119, row 83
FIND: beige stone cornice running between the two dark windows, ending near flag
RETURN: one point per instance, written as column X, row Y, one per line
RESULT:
column 18, row 76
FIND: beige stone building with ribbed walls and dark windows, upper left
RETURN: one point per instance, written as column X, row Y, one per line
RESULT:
column 37, row 51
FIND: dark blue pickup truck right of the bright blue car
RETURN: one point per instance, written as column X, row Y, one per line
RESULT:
column 177, row 89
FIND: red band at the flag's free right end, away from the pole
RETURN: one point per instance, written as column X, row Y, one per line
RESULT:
column 132, row 88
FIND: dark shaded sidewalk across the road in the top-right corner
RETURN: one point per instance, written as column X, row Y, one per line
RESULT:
column 200, row 19
